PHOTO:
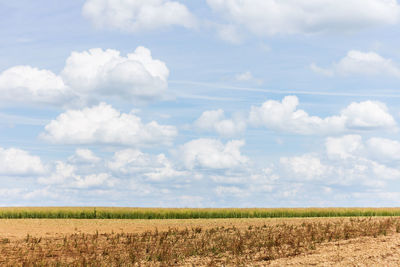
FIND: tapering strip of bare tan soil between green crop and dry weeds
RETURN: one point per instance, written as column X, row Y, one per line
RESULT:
column 19, row 228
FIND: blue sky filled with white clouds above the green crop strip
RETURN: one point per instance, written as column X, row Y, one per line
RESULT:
column 213, row 103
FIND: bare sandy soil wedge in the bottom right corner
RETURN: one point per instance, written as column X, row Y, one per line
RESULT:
column 365, row 251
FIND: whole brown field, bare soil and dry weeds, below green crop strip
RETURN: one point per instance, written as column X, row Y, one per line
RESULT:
column 201, row 242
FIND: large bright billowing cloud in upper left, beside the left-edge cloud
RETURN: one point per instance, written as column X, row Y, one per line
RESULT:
column 107, row 73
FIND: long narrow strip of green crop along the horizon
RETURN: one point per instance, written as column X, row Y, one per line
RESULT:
column 187, row 213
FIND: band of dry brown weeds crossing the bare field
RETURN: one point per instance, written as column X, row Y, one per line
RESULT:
column 214, row 247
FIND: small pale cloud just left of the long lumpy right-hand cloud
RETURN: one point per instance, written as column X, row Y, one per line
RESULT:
column 214, row 120
